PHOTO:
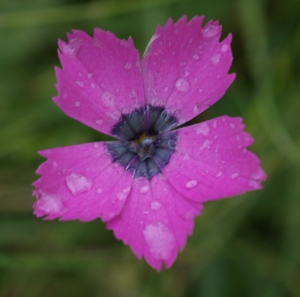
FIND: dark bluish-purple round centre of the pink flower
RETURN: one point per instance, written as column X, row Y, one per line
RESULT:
column 146, row 143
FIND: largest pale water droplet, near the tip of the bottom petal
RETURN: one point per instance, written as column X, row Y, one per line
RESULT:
column 160, row 240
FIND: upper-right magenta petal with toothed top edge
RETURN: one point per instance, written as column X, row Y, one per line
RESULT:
column 185, row 68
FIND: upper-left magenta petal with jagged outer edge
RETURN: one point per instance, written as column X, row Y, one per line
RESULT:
column 101, row 79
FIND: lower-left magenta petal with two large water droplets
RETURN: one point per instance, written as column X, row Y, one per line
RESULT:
column 80, row 182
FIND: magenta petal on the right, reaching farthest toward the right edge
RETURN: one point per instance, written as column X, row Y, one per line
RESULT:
column 211, row 161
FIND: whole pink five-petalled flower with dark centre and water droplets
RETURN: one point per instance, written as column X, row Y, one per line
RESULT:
column 148, row 185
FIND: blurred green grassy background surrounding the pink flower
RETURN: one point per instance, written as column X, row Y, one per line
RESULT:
column 245, row 246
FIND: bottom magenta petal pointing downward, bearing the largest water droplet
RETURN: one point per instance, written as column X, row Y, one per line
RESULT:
column 155, row 221
